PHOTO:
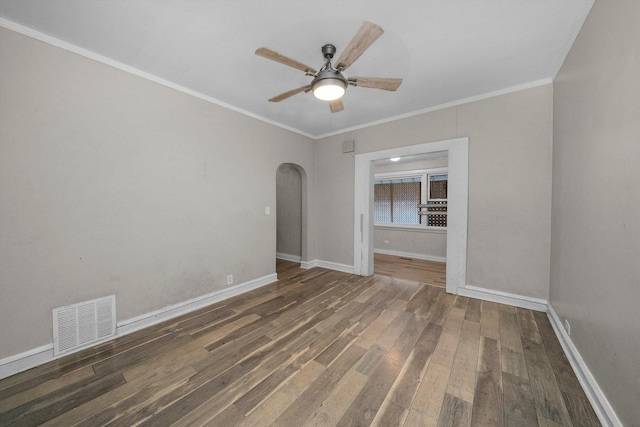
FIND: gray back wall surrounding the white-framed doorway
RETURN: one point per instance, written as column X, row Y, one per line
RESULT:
column 510, row 147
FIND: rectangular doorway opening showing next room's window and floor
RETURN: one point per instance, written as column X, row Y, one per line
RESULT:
column 410, row 217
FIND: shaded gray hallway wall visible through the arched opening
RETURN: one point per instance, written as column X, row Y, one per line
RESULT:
column 289, row 210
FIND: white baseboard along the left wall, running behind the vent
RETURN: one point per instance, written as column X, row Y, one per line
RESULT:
column 31, row 358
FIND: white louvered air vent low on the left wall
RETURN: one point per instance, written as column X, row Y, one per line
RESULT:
column 80, row 324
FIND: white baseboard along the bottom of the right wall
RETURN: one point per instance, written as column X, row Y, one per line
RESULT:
column 597, row 398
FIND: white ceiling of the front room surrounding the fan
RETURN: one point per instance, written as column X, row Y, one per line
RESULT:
column 446, row 51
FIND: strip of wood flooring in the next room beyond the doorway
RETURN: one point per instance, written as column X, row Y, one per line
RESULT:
column 417, row 270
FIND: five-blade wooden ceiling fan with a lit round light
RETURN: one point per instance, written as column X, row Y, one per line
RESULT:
column 329, row 84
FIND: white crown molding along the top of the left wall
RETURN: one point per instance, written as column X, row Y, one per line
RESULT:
column 148, row 76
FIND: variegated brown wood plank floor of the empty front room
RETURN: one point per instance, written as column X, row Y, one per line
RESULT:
column 316, row 348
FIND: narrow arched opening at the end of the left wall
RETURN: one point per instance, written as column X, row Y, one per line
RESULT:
column 291, row 213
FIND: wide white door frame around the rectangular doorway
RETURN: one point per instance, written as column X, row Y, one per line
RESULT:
column 457, row 212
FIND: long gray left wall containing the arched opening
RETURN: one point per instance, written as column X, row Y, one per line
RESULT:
column 112, row 184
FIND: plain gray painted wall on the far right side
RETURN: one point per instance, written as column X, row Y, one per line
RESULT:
column 595, row 246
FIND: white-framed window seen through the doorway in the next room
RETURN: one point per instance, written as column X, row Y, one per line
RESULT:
column 406, row 199
